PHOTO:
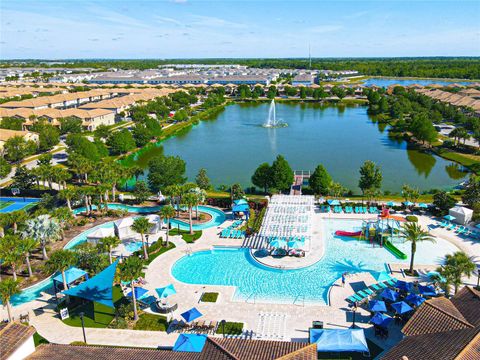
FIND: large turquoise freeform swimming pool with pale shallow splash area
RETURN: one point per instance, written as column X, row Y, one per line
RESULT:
column 255, row 282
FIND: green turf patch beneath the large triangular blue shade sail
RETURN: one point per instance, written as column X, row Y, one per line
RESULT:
column 95, row 315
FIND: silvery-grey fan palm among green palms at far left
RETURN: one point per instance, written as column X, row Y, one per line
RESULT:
column 43, row 229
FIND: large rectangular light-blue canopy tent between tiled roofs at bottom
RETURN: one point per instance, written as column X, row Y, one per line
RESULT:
column 338, row 340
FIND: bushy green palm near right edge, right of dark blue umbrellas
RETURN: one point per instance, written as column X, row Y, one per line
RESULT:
column 455, row 267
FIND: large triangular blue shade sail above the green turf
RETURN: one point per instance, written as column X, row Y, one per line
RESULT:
column 98, row 288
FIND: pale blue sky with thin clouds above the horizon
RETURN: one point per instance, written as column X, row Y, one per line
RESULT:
column 194, row 28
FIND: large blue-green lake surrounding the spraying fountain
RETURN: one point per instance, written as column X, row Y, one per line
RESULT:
column 341, row 138
